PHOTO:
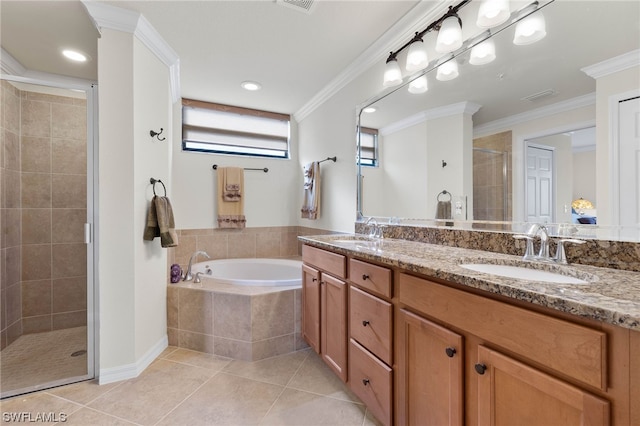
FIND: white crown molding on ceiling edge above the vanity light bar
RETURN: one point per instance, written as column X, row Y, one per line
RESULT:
column 416, row 19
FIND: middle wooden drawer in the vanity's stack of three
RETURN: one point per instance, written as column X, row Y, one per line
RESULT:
column 370, row 321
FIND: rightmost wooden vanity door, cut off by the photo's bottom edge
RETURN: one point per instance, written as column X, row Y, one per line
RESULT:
column 513, row 393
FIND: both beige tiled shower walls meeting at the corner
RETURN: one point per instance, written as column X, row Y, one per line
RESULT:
column 43, row 161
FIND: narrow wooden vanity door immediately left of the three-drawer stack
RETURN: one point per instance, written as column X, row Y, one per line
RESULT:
column 333, row 331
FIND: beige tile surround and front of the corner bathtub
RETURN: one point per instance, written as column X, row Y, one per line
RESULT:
column 248, row 323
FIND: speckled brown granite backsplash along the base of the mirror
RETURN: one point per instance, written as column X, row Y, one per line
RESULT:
column 624, row 255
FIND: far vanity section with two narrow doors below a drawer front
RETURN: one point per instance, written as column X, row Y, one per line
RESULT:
column 324, row 301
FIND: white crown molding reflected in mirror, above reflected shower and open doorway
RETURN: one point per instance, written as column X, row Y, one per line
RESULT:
column 557, row 108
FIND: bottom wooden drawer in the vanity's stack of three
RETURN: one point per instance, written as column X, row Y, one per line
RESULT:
column 371, row 380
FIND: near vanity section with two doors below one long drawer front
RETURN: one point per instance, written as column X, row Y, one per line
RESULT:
column 498, row 364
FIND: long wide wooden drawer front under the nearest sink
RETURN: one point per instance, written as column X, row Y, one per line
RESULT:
column 570, row 349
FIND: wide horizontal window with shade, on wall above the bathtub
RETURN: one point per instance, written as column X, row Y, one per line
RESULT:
column 224, row 129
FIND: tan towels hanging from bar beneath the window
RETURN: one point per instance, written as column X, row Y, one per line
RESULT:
column 230, row 198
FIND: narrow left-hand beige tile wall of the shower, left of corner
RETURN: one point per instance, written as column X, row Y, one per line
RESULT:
column 10, row 216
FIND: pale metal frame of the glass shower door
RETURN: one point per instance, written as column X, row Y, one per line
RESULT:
column 90, row 229
